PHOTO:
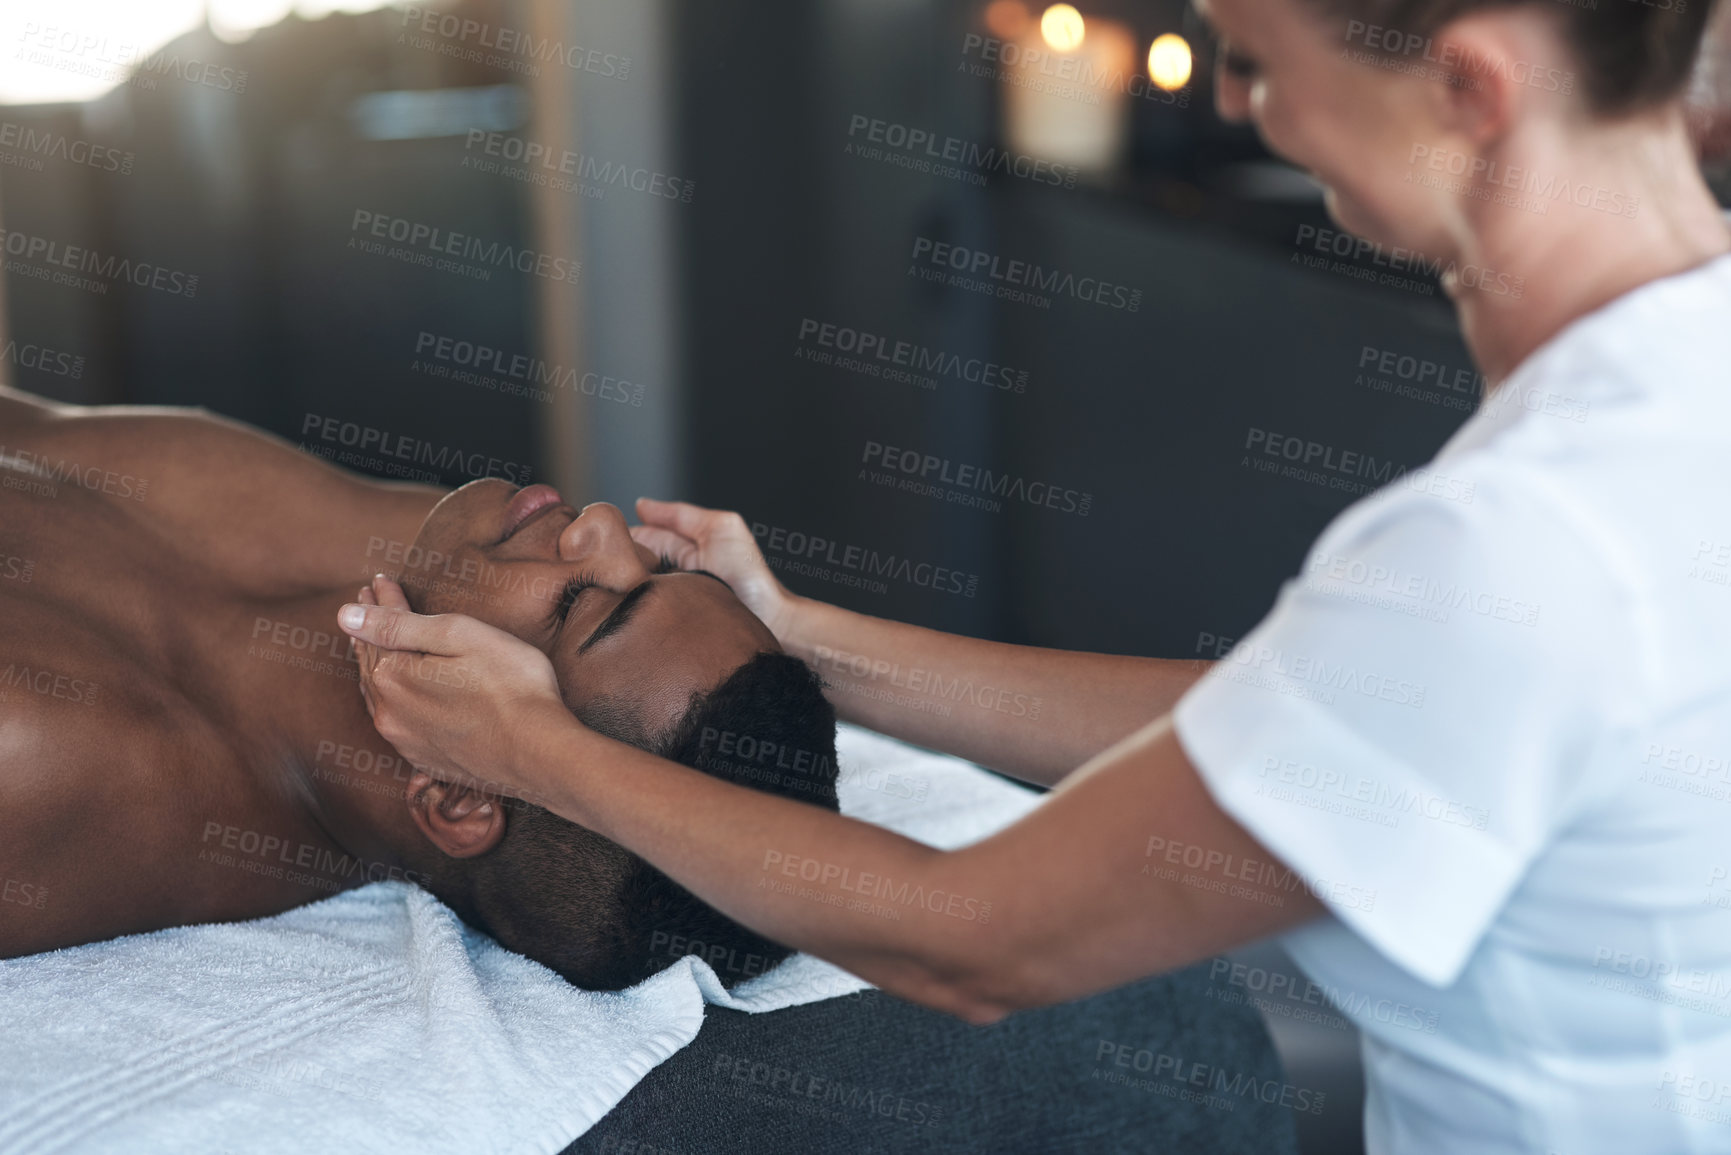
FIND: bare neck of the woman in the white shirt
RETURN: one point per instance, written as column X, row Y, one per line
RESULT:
column 1540, row 273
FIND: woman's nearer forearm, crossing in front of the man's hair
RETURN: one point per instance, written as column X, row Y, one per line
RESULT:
column 792, row 872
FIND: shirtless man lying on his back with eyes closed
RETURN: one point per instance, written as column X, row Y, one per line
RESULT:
column 183, row 737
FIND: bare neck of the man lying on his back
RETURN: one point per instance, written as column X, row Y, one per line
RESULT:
column 295, row 692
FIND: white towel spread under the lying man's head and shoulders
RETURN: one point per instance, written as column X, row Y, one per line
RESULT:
column 378, row 1023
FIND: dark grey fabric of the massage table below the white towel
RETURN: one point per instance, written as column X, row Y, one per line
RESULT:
column 1152, row 1068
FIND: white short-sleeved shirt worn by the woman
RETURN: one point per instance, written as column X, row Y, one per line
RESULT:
column 1491, row 728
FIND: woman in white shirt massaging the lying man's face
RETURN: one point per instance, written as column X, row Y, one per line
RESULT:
column 1519, row 822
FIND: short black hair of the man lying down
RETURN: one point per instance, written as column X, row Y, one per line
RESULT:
column 607, row 919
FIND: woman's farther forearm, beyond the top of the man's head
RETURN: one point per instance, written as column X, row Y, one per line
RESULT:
column 1036, row 714
